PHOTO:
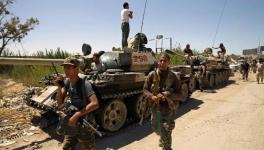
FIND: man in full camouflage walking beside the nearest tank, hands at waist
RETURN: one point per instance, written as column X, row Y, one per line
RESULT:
column 162, row 90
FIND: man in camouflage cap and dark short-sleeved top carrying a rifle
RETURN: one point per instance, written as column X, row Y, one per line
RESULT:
column 85, row 102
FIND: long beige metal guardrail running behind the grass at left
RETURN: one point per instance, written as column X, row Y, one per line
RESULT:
column 30, row 61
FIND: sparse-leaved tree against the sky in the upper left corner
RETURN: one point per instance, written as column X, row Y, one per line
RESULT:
column 11, row 28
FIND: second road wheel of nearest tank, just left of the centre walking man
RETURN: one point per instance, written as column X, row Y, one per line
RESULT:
column 141, row 107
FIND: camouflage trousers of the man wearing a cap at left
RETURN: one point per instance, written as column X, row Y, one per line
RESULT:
column 86, row 140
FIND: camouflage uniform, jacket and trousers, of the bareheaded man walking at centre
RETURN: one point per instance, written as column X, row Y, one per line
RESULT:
column 169, row 86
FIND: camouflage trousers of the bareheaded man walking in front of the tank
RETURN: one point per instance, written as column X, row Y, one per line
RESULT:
column 166, row 126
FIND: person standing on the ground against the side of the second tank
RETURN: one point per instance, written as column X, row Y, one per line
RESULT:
column 201, row 75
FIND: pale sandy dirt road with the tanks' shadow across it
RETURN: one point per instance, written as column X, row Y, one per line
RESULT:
column 225, row 118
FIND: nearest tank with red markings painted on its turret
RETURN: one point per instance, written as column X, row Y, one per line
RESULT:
column 120, row 88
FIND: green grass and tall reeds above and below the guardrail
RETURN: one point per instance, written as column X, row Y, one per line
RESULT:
column 31, row 75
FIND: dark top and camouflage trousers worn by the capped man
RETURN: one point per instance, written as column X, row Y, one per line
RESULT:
column 73, row 135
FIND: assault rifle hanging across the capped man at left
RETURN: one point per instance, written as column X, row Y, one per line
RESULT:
column 68, row 109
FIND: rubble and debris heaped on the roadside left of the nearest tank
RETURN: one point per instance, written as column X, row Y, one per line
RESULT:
column 16, row 116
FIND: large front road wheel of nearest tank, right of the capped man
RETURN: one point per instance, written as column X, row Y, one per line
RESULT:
column 113, row 115
